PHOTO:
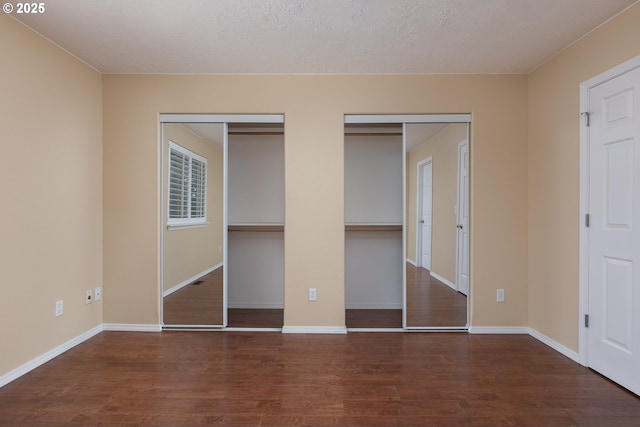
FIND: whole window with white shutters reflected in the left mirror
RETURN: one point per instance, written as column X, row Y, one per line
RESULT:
column 187, row 187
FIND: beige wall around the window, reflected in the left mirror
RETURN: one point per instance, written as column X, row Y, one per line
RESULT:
column 191, row 251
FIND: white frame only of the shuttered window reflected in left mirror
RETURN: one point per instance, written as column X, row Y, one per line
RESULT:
column 189, row 220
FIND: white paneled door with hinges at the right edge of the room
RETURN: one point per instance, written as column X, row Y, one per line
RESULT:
column 614, row 230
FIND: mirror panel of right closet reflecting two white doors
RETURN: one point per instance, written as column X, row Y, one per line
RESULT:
column 437, row 267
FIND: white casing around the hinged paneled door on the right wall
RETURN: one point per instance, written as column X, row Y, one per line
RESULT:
column 583, row 260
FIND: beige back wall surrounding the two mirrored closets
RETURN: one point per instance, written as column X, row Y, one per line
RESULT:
column 314, row 107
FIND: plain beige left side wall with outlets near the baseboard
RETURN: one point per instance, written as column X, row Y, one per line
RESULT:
column 51, row 162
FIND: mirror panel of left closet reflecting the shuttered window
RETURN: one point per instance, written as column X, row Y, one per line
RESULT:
column 192, row 231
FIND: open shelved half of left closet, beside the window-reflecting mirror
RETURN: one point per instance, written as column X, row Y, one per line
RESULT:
column 256, row 225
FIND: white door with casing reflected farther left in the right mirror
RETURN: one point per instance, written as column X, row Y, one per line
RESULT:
column 425, row 217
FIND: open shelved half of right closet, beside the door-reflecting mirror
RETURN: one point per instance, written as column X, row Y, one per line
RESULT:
column 373, row 158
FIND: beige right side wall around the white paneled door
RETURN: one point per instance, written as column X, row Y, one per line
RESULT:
column 553, row 181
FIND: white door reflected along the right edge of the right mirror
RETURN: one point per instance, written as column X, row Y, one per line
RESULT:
column 462, row 268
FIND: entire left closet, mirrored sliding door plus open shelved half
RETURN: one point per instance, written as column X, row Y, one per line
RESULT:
column 222, row 226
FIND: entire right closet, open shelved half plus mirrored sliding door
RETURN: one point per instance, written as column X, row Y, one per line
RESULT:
column 407, row 221
